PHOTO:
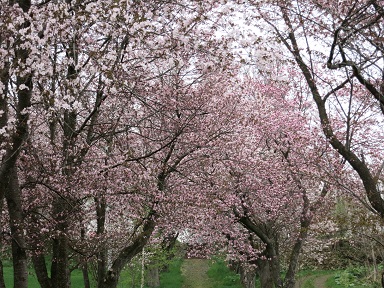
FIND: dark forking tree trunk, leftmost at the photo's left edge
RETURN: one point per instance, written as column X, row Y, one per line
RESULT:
column 9, row 182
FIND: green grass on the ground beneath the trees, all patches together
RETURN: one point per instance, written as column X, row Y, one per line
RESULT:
column 220, row 276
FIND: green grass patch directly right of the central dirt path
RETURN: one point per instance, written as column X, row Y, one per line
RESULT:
column 222, row 276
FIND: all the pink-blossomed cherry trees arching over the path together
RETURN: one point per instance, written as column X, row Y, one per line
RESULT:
column 127, row 122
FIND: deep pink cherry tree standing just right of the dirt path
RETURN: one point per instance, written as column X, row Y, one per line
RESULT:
column 265, row 186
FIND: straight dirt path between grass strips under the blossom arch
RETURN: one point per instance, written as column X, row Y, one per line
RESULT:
column 195, row 273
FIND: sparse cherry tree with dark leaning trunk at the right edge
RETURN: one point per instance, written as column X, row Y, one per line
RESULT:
column 341, row 82
